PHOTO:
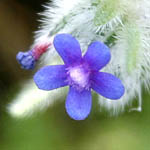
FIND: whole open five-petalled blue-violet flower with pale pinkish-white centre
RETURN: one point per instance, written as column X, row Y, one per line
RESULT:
column 81, row 74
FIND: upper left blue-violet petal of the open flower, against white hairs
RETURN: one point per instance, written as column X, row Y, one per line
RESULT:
column 68, row 48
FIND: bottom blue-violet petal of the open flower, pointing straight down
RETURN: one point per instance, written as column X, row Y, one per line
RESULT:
column 78, row 104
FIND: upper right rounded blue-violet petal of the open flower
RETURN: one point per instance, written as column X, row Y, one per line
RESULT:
column 97, row 55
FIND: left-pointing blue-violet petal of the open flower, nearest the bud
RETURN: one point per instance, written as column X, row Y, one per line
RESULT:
column 50, row 77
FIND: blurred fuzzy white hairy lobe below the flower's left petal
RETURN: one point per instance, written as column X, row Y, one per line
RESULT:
column 32, row 99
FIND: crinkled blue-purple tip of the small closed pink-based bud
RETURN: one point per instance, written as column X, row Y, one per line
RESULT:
column 26, row 60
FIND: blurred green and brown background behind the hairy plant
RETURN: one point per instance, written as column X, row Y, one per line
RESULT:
column 53, row 129
